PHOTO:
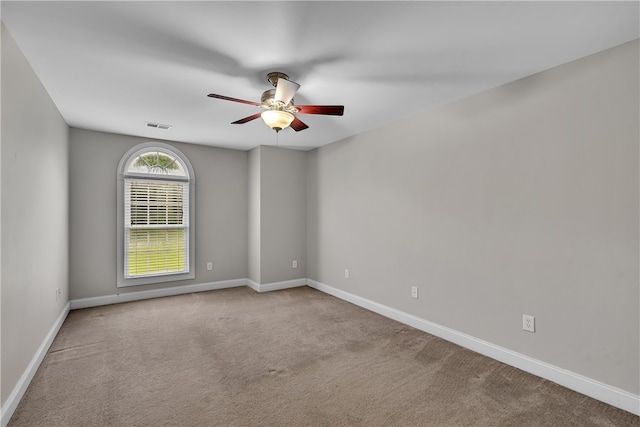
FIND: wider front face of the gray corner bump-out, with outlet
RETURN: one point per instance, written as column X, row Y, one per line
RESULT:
column 283, row 214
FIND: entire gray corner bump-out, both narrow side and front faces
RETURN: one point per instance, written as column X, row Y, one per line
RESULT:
column 277, row 214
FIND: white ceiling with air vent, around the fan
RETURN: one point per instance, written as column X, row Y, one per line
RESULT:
column 112, row 66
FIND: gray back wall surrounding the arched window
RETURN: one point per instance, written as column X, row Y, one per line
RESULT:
column 221, row 212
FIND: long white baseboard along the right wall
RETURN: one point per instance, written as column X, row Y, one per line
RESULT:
column 587, row 386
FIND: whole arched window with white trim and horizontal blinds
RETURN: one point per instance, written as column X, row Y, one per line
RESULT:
column 155, row 216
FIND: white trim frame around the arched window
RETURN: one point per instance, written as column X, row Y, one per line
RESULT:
column 122, row 281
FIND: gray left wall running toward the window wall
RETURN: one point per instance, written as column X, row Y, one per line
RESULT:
column 34, row 179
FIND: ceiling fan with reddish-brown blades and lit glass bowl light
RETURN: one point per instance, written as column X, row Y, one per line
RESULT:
column 279, row 105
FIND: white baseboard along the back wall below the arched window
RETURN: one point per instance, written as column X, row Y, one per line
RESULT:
column 155, row 293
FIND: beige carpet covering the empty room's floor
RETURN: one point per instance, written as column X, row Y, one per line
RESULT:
column 288, row 358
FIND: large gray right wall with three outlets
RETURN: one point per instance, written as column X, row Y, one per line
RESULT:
column 519, row 200
